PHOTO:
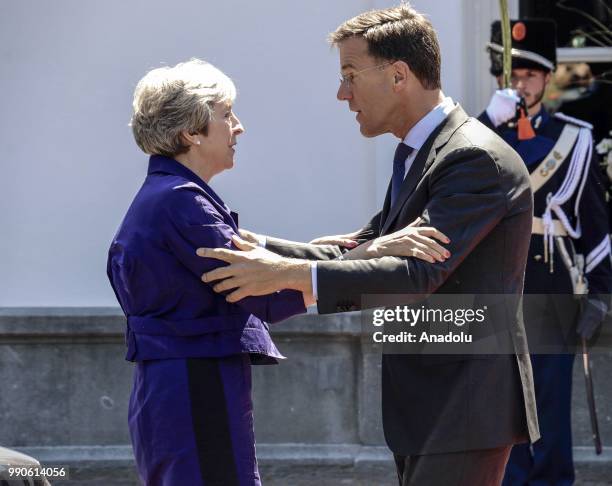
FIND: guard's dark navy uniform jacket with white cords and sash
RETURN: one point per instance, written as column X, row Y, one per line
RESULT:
column 583, row 216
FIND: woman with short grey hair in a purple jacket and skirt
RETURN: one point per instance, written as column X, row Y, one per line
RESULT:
column 190, row 413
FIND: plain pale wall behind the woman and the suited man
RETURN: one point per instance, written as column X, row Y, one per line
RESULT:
column 70, row 167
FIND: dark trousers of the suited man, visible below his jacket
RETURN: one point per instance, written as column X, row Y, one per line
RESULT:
column 471, row 468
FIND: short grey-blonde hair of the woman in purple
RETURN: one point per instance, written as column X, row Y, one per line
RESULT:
column 169, row 100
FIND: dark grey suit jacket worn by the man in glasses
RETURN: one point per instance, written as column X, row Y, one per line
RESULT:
column 468, row 183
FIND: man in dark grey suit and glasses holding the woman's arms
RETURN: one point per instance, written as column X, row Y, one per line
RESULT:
column 449, row 420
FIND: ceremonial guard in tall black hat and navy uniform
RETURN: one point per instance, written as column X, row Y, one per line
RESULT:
column 570, row 246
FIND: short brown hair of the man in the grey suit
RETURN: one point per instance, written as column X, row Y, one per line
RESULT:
column 398, row 34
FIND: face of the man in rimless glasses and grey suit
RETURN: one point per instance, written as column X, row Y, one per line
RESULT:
column 365, row 86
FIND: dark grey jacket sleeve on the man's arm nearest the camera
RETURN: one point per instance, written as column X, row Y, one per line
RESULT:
column 466, row 202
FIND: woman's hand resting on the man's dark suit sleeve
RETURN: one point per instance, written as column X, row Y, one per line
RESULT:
column 412, row 241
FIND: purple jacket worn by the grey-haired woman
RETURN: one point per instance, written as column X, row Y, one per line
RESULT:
column 155, row 273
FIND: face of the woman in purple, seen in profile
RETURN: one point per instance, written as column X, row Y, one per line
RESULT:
column 217, row 146
